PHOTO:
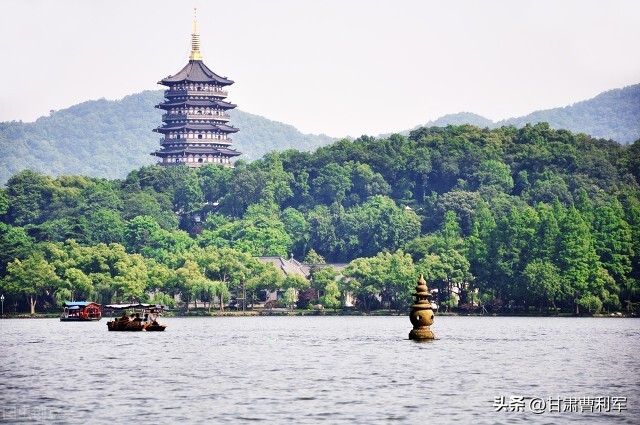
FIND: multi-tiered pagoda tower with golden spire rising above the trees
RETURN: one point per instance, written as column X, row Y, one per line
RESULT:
column 195, row 129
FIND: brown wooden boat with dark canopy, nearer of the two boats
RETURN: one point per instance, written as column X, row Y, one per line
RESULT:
column 143, row 317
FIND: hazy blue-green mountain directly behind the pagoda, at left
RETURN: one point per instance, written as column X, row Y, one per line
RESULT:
column 104, row 138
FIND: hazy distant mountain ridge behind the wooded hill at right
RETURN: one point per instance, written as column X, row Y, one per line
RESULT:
column 614, row 114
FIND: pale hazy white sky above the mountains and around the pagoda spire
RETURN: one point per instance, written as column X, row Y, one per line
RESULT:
column 339, row 67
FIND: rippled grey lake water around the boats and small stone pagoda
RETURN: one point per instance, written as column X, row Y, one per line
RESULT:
column 322, row 369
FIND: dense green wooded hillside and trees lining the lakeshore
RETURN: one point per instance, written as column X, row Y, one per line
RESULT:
column 530, row 219
